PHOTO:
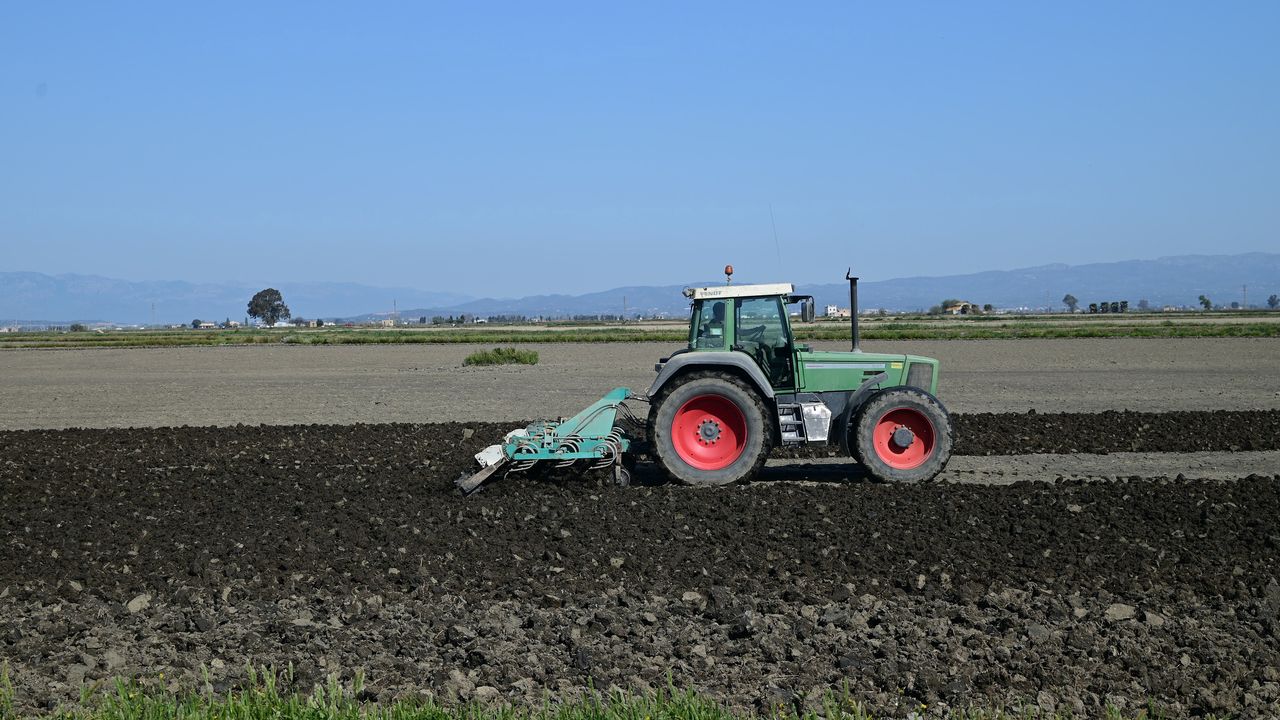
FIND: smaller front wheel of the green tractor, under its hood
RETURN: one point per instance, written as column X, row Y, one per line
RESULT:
column 885, row 462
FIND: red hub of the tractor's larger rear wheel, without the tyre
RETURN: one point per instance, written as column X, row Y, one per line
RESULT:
column 710, row 432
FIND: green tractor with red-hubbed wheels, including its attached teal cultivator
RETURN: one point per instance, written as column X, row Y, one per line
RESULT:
column 742, row 388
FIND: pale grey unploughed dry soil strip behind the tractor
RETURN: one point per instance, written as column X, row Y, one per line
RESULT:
column 427, row 384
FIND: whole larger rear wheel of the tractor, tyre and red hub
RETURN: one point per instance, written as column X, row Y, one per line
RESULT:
column 710, row 430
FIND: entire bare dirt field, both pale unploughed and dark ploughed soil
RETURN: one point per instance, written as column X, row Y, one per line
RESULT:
column 1071, row 558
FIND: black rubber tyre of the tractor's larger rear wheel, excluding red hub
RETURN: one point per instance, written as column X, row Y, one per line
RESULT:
column 662, row 416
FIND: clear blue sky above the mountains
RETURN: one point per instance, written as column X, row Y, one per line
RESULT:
column 527, row 148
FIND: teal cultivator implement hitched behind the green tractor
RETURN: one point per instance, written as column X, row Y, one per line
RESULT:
column 595, row 439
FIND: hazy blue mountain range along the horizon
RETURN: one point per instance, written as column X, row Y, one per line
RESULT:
column 40, row 299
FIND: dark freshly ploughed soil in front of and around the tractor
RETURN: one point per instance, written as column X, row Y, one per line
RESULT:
column 184, row 552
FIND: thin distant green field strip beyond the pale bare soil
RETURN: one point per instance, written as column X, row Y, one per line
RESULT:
column 875, row 329
